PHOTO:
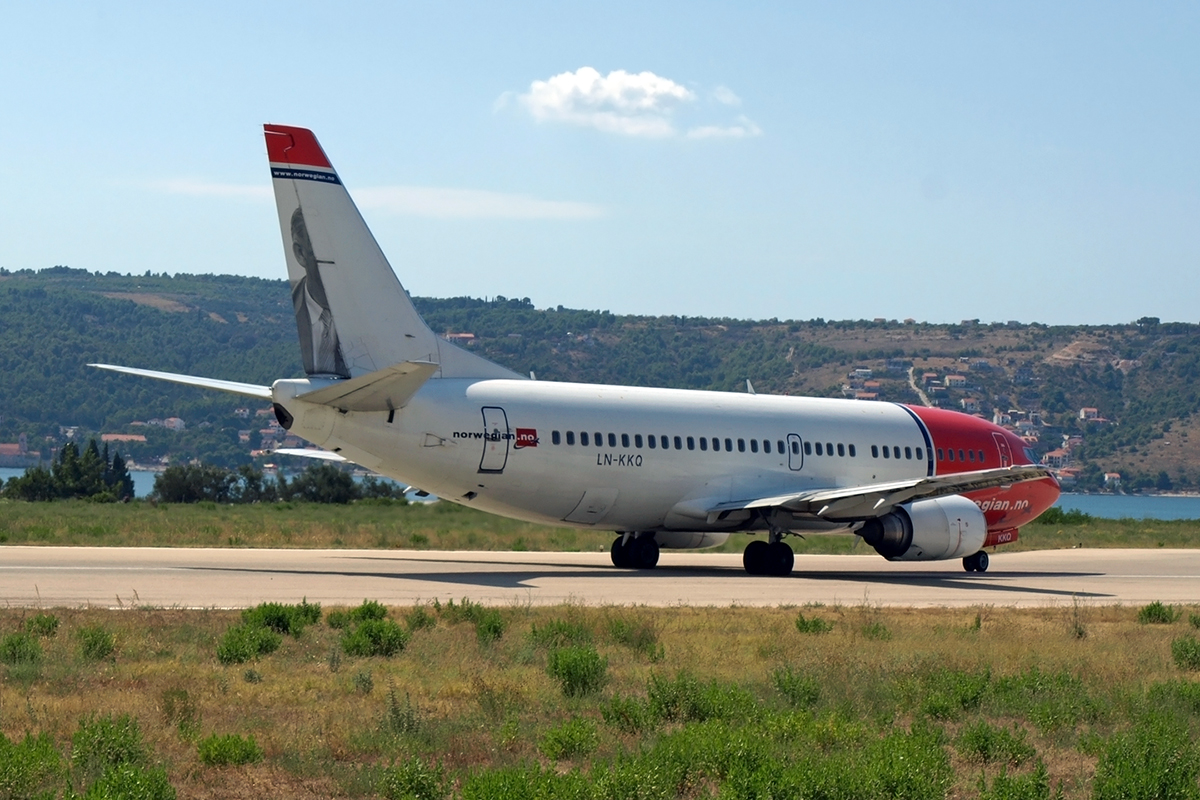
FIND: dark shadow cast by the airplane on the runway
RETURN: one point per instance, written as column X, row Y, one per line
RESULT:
column 995, row 582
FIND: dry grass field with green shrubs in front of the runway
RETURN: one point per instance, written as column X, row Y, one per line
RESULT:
column 572, row 702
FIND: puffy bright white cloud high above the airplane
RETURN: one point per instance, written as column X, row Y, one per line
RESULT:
column 621, row 103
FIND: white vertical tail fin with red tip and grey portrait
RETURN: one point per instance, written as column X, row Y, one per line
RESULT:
column 353, row 316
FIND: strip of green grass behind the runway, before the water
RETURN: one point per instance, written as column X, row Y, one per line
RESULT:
column 440, row 526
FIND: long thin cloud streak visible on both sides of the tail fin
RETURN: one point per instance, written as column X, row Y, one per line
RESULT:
column 415, row 201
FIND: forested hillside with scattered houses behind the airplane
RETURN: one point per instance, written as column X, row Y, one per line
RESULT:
column 1142, row 377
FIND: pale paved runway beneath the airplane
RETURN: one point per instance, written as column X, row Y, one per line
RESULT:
column 233, row 579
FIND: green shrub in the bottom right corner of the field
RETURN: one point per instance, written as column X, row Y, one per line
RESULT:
column 1157, row 759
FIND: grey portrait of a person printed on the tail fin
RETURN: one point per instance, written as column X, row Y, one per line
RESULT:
column 315, row 322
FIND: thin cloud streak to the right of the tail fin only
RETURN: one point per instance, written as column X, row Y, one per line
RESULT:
column 471, row 204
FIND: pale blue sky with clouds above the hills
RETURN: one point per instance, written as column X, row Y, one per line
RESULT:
column 940, row 161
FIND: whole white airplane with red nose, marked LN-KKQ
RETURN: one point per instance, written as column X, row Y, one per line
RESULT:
column 661, row 468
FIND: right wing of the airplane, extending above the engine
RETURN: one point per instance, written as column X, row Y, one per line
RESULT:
column 875, row 501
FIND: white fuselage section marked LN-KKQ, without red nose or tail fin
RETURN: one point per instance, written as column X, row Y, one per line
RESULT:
column 491, row 444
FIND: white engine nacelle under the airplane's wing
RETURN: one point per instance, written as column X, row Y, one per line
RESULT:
column 928, row 531
